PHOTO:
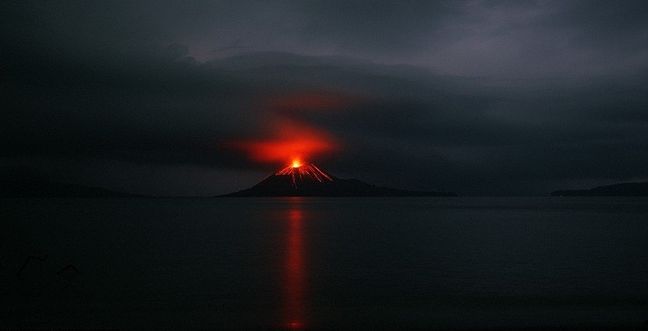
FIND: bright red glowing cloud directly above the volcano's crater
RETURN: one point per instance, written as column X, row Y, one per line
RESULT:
column 292, row 142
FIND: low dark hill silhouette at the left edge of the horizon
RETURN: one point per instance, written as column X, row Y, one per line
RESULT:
column 22, row 183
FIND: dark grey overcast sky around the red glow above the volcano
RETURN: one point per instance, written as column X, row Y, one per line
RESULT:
column 477, row 97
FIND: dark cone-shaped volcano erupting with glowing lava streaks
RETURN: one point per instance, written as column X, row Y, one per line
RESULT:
column 309, row 180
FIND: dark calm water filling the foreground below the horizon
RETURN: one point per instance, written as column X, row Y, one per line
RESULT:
column 465, row 263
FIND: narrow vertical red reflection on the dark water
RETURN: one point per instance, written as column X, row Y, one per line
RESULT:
column 294, row 271
